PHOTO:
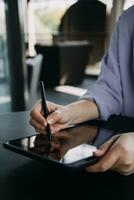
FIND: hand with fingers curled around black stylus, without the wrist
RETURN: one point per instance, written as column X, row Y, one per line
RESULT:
column 59, row 117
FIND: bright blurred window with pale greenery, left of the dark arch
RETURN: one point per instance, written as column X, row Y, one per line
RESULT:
column 44, row 18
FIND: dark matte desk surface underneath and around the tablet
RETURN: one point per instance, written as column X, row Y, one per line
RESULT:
column 24, row 178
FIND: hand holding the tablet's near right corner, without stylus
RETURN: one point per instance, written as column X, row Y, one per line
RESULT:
column 116, row 154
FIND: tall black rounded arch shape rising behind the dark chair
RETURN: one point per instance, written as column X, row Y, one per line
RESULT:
column 85, row 20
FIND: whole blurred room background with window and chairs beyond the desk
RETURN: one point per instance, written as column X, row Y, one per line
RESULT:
column 60, row 42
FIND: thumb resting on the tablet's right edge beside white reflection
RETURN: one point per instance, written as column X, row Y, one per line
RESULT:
column 105, row 147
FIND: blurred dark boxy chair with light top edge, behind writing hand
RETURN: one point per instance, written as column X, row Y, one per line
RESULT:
column 64, row 62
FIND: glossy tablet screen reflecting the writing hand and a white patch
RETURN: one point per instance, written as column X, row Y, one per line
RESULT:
column 67, row 146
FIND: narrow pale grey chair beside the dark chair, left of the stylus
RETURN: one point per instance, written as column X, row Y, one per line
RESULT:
column 34, row 68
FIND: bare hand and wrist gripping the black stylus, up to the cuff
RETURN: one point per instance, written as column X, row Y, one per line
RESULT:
column 61, row 117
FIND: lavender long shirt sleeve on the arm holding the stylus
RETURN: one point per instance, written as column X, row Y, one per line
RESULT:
column 114, row 89
